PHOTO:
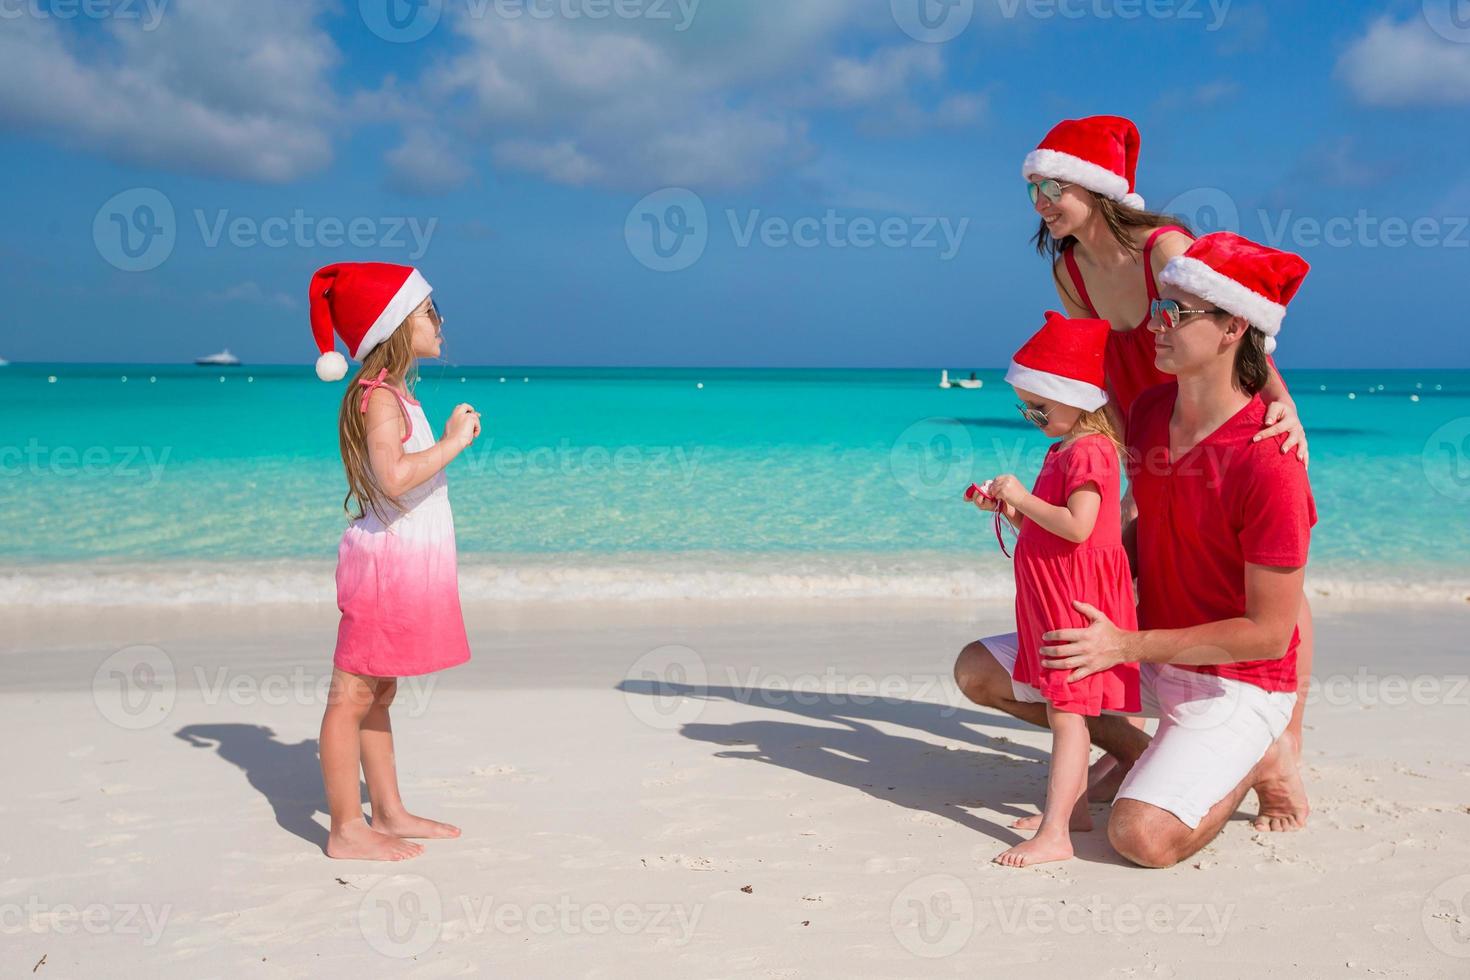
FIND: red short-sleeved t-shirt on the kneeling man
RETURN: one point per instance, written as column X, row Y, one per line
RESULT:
column 1202, row 519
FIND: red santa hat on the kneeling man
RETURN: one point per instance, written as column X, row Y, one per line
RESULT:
column 1240, row 277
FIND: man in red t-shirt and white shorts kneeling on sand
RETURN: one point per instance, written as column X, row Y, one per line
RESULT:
column 1222, row 534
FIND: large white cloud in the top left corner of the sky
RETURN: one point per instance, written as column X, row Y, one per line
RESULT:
column 221, row 89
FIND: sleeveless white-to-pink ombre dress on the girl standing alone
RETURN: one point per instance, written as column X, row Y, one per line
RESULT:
column 398, row 583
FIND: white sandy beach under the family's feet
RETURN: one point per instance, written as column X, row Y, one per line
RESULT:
column 643, row 796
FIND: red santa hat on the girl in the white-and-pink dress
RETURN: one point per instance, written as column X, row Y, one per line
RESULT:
column 362, row 303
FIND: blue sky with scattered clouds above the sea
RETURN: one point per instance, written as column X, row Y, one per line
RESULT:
column 511, row 154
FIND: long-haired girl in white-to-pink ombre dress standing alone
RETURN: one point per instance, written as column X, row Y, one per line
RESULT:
column 398, row 584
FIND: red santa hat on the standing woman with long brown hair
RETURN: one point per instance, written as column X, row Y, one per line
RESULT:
column 1099, row 154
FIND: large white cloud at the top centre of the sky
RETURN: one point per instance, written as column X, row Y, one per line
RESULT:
column 634, row 105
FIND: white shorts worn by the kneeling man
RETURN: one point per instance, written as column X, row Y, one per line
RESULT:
column 1212, row 732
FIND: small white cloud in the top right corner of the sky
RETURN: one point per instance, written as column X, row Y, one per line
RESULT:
column 1406, row 65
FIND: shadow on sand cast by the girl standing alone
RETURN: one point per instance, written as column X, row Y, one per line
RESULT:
column 287, row 775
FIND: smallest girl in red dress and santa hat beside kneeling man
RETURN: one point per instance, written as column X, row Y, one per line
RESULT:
column 1069, row 555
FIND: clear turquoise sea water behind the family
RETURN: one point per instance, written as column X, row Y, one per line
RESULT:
column 645, row 483
